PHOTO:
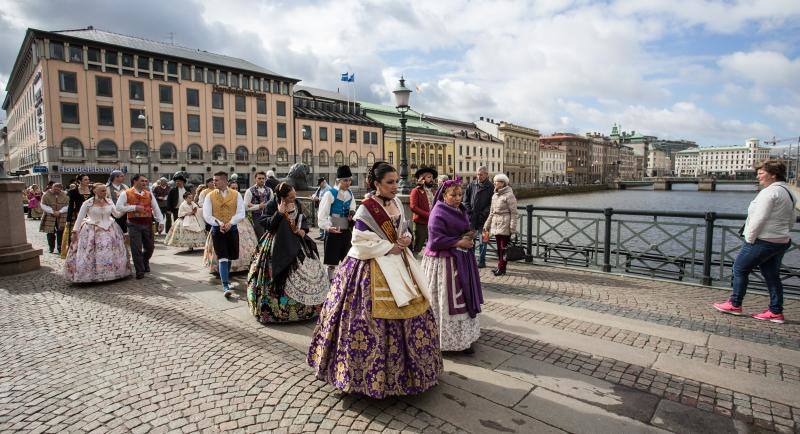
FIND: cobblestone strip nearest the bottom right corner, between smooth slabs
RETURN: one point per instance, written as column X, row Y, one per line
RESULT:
column 752, row 410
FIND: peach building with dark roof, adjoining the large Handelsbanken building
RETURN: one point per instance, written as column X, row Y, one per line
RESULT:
column 330, row 132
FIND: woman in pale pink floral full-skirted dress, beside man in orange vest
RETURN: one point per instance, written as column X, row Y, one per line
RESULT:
column 97, row 251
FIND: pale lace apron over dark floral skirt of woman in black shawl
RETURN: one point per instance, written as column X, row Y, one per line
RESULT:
column 309, row 283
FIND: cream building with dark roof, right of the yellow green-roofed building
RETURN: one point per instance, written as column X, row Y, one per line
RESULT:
column 474, row 148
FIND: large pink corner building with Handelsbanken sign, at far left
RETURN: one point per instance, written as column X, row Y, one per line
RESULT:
column 90, row 101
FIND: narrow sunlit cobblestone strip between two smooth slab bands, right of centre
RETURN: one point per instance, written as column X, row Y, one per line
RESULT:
column 740, row 362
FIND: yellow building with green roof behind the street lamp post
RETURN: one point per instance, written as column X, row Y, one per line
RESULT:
column 428, row 145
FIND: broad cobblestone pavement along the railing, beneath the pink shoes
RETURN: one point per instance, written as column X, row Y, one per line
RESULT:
column 687, row 307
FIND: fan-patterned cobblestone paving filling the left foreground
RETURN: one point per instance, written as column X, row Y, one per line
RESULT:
column 137, row 357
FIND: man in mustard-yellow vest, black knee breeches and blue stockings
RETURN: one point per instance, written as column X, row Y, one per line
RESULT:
column 223, row 209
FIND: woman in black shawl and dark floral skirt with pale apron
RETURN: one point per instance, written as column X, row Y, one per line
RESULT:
column 287, row 281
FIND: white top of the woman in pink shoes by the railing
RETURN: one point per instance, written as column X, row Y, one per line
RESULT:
column 771, row 215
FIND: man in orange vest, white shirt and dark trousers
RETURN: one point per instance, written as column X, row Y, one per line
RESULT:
column 142, row 208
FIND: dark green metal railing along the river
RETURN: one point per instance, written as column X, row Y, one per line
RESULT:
column 685, row 246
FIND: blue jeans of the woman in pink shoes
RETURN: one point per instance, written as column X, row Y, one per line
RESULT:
column 767, row 256
